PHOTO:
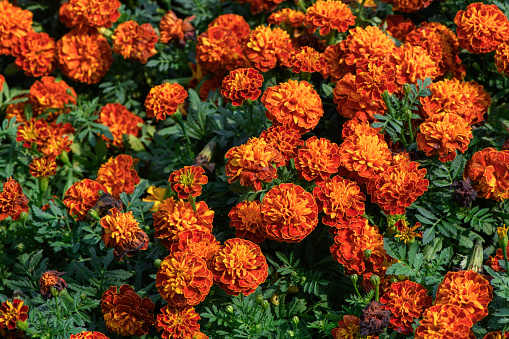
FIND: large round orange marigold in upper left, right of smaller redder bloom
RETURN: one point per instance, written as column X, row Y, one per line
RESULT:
column 84, row 56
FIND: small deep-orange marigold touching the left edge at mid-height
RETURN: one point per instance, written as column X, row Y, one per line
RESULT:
column 12, row 200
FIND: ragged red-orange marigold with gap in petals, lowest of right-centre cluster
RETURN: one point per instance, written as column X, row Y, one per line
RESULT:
column 350, row 246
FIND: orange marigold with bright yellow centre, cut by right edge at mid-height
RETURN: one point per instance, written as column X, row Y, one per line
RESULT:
column 488, row 170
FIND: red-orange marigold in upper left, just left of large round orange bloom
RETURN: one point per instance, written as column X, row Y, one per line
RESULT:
column 35, row 54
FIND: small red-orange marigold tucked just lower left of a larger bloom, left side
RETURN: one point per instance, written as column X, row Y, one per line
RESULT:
column 82, row 196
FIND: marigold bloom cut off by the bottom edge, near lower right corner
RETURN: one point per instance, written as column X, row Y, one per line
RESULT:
column 444, row 321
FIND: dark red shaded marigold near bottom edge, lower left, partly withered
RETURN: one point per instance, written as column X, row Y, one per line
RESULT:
column 125, row 312
